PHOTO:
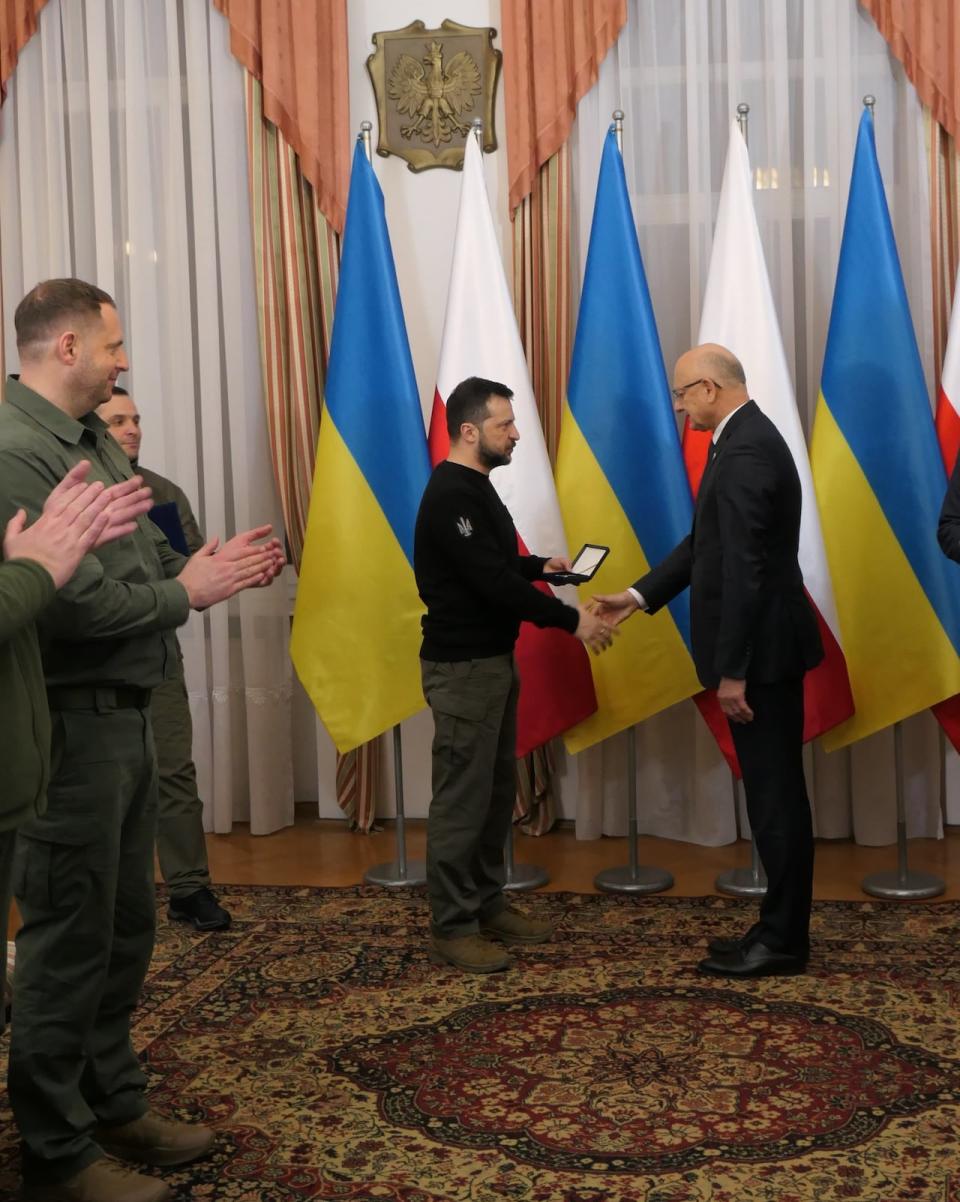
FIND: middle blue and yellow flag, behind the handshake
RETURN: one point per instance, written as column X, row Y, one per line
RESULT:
column 621, row 473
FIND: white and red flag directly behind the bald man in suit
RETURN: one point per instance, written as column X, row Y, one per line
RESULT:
column 740, row 313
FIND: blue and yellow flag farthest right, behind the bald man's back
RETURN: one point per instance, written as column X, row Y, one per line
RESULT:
column 880, row 479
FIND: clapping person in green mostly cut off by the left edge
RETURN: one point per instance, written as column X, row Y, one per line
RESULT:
column 37, row 562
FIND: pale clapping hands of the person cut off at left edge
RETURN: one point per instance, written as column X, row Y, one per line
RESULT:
column 76, row 519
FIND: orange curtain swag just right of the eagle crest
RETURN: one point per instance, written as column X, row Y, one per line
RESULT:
column 552, row 53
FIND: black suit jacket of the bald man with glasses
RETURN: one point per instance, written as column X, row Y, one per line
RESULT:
column 750, row 616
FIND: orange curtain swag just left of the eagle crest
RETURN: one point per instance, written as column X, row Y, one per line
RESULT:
column 299, row 52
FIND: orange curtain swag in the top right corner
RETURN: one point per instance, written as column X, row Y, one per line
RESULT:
column 926, row 38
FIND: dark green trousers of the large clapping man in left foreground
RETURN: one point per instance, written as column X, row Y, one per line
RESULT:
column 84, row 880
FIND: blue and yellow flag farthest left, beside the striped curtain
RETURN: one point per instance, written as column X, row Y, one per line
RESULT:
column 356, row 627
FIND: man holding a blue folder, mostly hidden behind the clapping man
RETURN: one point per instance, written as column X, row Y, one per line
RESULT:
column 181, row 846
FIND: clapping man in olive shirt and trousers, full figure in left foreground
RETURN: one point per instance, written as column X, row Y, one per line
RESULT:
column 84, row 872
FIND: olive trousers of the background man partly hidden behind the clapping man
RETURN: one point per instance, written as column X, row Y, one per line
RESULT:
column 181, row 846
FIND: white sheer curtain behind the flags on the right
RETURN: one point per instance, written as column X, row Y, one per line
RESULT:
column 679, row 72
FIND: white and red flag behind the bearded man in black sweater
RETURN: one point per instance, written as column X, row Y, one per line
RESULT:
column 481, row 340
